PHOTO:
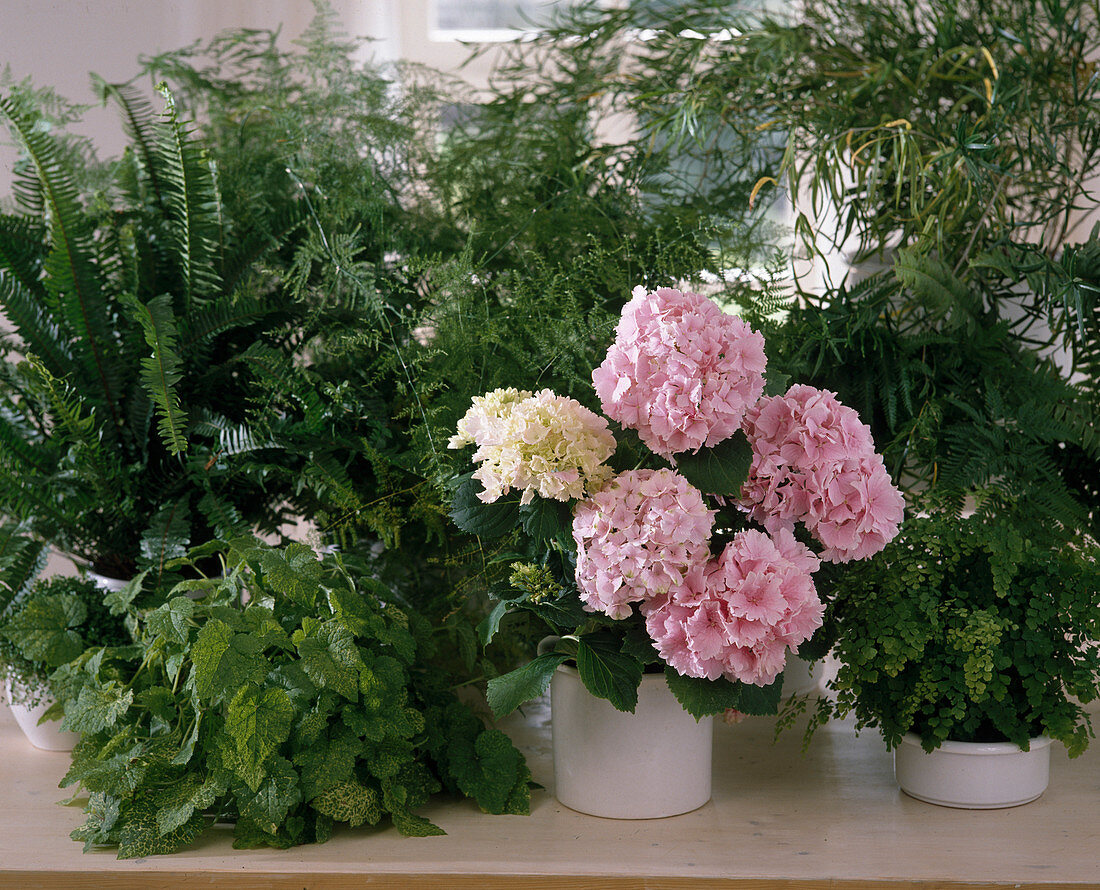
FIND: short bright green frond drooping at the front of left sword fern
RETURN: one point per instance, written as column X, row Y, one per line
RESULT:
column 161, row 369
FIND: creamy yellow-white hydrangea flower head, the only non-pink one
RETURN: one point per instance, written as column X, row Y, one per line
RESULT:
column 543, row 444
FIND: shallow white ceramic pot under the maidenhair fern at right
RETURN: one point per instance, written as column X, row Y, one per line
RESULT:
column 974, row 775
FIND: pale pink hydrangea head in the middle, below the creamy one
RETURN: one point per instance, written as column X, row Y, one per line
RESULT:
column 637, row 537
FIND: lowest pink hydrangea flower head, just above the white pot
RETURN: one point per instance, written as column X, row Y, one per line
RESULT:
column 740, row 616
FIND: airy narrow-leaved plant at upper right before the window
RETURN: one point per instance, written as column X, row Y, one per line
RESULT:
column 950, row 127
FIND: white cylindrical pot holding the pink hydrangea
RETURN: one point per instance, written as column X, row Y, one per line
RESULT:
column 648, row 765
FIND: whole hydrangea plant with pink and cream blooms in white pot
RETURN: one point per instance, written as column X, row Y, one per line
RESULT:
column 674, row 557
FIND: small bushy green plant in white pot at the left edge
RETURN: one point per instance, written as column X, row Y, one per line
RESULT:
column 47, row 625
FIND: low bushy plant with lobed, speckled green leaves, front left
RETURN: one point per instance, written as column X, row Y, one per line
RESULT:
column 291, row 696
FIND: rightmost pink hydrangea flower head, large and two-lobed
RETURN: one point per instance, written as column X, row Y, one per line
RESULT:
column 815, row 463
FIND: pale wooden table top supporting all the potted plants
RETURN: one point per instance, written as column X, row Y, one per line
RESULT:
column 832, row 818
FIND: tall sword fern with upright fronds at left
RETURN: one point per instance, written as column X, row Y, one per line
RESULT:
column 149, row 350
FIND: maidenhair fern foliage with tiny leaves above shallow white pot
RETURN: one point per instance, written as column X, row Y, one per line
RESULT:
column 972, row 630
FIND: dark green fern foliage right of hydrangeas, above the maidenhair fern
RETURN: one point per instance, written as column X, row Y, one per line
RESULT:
column 960, row 400
